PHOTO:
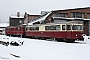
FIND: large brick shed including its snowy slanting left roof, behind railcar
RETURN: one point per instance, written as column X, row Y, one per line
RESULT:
column 80, row 14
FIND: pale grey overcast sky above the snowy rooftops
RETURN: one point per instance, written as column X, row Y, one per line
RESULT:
column 11, row 7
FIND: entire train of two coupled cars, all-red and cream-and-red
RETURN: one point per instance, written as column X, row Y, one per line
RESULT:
column 66, row 31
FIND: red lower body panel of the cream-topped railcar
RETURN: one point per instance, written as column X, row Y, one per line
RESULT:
column 56, row 34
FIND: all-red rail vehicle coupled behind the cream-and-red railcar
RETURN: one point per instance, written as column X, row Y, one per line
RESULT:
column 15, row 30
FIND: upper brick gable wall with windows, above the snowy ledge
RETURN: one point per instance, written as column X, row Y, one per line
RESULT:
column 70, row 13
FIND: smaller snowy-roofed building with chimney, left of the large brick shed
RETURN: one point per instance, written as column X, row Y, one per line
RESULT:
column 18, row 19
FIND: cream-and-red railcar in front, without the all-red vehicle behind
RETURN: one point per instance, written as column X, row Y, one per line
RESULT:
column 60, row 31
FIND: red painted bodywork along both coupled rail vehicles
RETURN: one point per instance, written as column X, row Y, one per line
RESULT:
column 73, row 35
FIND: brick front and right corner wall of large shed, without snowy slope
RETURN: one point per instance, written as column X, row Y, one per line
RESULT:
column 73, row 13
